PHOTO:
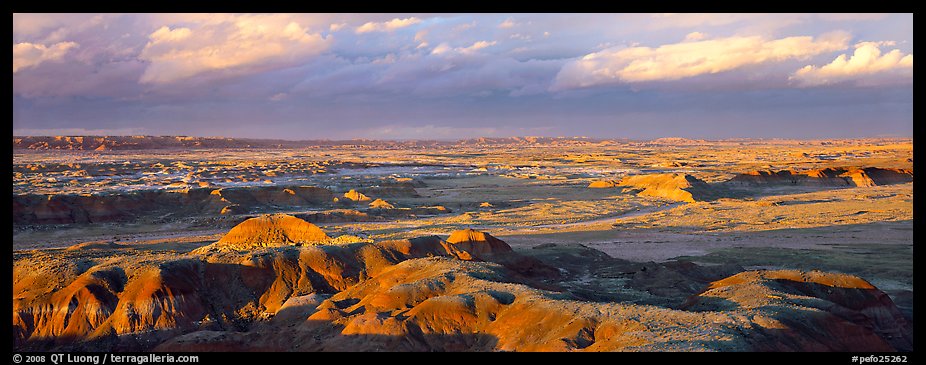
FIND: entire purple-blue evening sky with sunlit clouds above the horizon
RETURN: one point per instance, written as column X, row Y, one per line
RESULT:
column 453, row 76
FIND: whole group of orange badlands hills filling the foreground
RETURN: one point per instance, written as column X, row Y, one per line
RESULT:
column 471, row 292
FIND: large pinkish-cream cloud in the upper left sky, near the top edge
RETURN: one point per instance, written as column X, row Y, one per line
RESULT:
column 239, row 45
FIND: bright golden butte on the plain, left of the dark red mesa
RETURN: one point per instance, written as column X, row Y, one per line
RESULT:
column 678, row 187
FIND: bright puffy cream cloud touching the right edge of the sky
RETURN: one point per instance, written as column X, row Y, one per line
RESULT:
column 866, row 66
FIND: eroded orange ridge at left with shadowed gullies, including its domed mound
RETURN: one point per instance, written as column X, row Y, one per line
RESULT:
column 250, row 273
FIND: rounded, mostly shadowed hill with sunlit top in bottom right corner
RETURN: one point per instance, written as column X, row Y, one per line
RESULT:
column 810, row 311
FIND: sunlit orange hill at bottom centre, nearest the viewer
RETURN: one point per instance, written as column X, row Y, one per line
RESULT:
column 440, row 304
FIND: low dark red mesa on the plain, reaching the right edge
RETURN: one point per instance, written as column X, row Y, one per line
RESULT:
column 833, row 176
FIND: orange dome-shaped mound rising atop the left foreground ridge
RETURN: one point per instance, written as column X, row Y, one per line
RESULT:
column 274, row 230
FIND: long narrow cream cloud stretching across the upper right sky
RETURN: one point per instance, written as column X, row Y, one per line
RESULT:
column 688, row 59
